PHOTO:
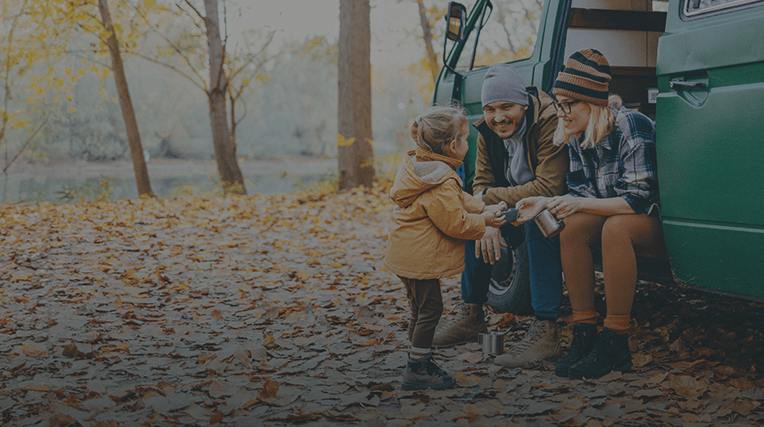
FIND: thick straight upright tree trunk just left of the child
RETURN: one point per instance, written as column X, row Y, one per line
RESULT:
column 355, row 154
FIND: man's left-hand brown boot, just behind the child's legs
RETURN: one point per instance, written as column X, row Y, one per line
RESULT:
column 461, row 327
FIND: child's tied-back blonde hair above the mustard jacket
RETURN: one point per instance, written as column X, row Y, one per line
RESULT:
column 437, row 127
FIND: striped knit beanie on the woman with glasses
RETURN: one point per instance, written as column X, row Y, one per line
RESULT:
column 586, row 77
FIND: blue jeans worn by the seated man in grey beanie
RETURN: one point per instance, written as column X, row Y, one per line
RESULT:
column 545, row 270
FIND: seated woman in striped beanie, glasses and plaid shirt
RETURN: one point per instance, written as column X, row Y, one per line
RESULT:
column 612, row 196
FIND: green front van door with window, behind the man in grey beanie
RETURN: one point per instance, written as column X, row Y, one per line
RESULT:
column 502, row 31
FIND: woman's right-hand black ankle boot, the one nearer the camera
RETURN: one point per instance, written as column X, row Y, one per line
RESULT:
column 610, row 353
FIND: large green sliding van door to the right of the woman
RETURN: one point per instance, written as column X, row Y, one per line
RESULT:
column 710, row 143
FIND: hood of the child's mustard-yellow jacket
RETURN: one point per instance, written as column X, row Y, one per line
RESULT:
column 421, row 171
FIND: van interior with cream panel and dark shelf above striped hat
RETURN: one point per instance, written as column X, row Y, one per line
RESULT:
column 626, row 32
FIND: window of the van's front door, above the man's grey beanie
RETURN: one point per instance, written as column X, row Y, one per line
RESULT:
column 509, row 34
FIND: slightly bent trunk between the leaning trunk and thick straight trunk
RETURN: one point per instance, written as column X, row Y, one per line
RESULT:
column 225, row 147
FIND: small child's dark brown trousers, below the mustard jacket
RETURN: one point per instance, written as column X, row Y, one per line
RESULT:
column 426, row 305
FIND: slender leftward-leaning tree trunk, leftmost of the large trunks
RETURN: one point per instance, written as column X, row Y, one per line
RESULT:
column 126, row 104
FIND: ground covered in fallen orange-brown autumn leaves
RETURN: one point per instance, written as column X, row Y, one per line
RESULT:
column 273, row 309
